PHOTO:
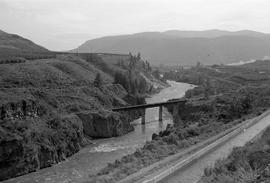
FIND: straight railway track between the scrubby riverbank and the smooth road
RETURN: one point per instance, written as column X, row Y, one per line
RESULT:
column 163, row 170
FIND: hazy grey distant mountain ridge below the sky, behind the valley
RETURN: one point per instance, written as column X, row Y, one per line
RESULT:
column 176, row 47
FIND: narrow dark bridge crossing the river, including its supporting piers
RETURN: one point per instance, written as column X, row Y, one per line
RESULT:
column 175, row 103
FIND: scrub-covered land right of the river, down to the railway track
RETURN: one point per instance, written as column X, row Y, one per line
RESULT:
column 214, row 106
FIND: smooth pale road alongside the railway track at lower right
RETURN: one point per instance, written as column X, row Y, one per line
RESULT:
column 193, row 171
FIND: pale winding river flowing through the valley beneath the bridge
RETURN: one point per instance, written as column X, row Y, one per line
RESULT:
column 93, row 157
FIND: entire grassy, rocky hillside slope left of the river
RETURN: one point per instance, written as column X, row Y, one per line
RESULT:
column 49, row 108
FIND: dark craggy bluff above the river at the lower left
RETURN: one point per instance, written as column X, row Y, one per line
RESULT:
column 33, row 143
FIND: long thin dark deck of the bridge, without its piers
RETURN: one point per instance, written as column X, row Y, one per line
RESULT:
column 144, row 106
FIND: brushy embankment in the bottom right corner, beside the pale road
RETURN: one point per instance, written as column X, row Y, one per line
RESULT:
column 249, row 163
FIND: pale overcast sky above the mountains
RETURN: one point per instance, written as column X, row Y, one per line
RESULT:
column 65, row 24
